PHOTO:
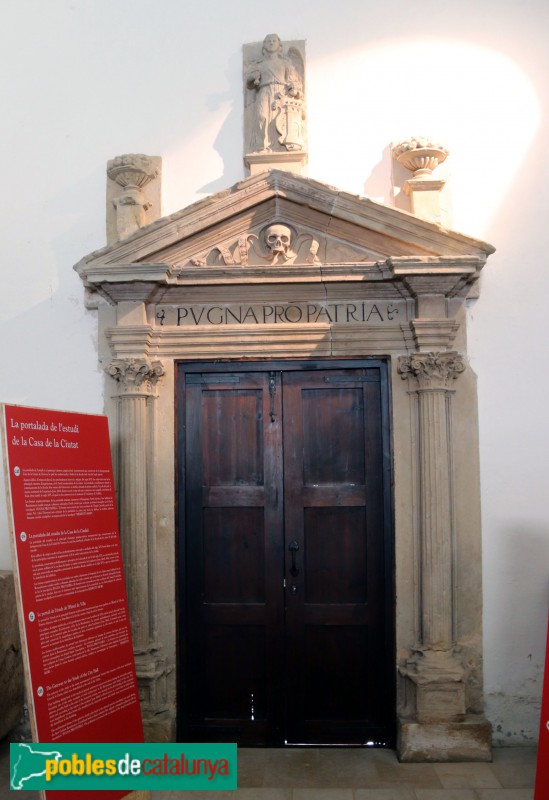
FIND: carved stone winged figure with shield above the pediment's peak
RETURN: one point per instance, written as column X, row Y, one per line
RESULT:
column 275, row 98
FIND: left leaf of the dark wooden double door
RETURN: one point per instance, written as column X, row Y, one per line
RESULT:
column 234, row 557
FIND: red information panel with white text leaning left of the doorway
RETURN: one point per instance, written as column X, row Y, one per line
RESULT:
column 68, row 565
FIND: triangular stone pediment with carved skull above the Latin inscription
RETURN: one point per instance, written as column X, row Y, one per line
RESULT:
column 277, row 225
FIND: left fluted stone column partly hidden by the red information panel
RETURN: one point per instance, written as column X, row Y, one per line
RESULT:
column 137, row 379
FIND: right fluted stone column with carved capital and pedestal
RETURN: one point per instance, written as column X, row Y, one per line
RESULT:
column 436, row 676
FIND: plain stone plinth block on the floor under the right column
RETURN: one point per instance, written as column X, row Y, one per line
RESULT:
column 469, row 740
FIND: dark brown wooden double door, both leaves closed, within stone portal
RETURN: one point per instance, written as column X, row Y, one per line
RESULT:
column 285, row 556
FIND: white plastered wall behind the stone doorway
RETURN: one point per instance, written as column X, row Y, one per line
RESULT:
column 85, row 81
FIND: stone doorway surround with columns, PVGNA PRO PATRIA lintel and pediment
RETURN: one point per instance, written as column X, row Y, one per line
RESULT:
column 355, row 280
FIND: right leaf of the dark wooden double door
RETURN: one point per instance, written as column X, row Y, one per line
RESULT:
column 335, row 612
